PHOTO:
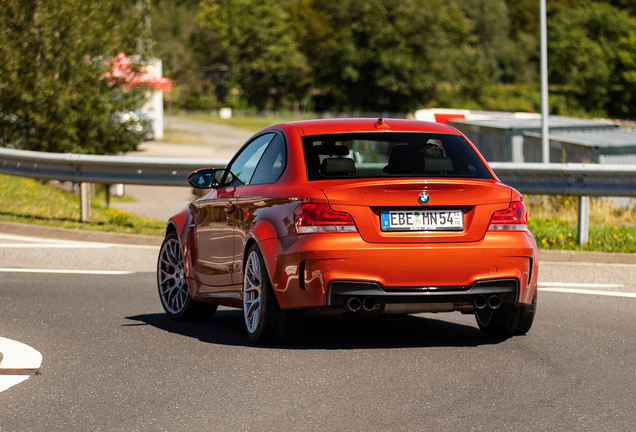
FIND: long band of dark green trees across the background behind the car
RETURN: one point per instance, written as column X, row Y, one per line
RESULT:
column 398, row 55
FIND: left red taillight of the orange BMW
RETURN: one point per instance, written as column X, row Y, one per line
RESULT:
column 311, row 218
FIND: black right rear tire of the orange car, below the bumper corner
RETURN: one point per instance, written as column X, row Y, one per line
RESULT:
column 507, row 320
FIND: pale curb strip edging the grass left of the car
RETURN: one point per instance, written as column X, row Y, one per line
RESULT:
column 78, row 234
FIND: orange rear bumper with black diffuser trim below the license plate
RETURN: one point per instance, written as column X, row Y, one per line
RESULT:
column 322, row 270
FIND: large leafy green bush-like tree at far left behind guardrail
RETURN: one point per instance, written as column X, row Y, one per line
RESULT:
column 54, row 56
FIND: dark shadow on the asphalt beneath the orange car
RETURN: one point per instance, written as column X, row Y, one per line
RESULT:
column 332, row 332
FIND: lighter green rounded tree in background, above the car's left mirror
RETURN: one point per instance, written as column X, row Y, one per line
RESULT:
column 253, row 38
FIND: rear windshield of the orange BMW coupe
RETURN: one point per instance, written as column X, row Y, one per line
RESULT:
column 391, row 154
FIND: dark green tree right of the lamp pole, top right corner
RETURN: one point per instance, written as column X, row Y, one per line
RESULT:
column 592, row 58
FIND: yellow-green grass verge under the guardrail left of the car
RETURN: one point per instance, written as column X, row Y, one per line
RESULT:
column 37, row 202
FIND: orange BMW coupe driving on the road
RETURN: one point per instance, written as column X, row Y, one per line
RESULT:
column 373, row 217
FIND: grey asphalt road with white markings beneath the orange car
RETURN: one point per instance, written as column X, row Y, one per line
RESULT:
column 113, row 361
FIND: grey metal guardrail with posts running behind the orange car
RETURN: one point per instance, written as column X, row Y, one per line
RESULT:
column 581, row 180
